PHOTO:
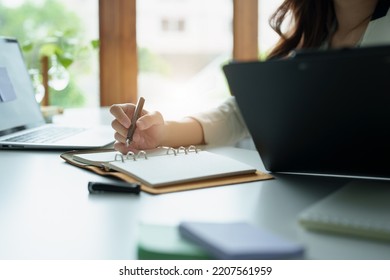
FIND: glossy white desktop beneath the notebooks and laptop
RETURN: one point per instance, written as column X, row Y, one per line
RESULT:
column 46, row 211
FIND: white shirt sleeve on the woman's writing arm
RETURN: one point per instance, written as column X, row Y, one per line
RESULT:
column 223, row 125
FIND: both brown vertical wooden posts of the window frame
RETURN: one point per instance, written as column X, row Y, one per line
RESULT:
column 118, row 46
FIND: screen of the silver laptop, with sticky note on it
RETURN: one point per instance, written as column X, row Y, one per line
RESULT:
column 18, row 107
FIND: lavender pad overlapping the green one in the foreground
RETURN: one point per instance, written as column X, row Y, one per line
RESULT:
column 239, row 241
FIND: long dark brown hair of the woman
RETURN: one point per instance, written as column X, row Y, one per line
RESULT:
column 311, row 23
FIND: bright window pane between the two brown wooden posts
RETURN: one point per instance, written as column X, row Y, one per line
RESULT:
column 182, row 45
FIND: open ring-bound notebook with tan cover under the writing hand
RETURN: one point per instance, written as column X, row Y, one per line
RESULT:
column 169, row 169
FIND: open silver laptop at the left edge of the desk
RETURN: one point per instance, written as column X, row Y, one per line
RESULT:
column 22, row 124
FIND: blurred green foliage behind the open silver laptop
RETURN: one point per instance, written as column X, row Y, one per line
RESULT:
column 48, row 28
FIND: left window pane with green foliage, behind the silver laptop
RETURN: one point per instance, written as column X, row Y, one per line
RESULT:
column 70, row 25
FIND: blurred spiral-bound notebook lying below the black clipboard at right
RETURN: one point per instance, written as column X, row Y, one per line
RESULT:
column 361, row 208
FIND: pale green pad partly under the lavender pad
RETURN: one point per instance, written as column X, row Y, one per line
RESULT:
column 163, row 242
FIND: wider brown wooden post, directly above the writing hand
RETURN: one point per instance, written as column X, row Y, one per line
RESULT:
column 118, row 51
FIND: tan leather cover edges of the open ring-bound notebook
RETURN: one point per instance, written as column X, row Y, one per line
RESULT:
column 229, row 180
